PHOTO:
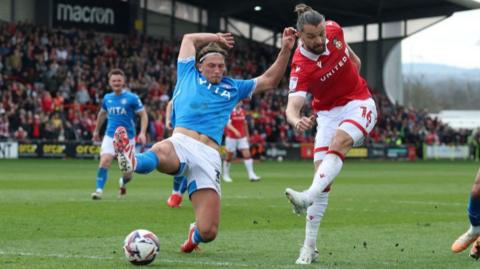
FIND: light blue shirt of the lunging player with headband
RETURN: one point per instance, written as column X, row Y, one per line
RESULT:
column 202, row 106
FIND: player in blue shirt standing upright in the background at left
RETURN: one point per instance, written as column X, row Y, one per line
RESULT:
column 120, row 107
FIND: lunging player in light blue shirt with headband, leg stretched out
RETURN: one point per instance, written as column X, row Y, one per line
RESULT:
column 202, row 102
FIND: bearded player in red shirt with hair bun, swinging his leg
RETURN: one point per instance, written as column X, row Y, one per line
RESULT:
column 325, row 67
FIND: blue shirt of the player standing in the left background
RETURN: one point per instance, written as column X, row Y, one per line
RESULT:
column 121, row 110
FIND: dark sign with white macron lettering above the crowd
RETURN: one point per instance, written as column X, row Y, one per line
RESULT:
column 104, row 16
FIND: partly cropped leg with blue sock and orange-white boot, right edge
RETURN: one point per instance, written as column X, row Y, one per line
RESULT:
column 473, row 233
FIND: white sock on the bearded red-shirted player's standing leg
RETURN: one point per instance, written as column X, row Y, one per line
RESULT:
column 315, row 214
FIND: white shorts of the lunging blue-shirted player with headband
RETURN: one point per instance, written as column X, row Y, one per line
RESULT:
column 202, row 163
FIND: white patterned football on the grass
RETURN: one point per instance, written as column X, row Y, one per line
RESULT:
column 141, row 247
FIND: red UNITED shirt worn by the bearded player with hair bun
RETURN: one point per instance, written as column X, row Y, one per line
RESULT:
column 332, row 77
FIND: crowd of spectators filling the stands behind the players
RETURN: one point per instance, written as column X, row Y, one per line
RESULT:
column 52, row 82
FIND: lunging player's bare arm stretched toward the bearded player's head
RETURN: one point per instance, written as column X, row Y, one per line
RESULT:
column 275, row 73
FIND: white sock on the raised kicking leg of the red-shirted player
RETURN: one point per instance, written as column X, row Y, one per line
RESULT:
column 326, row 173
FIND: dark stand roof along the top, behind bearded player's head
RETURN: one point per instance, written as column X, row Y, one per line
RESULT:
column 276, row 14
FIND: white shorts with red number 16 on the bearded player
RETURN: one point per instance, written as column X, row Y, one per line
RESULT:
column 357, row 118
